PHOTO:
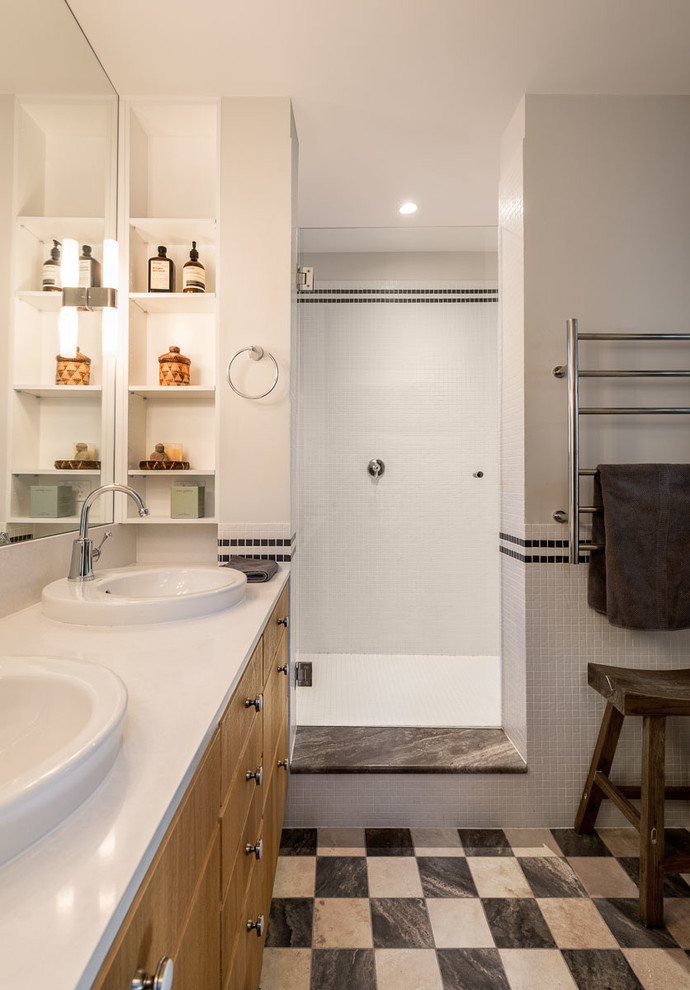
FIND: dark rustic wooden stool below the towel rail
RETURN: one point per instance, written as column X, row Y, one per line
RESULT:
column 653, row 694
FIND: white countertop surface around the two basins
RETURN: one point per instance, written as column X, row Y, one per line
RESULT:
column 63, row 900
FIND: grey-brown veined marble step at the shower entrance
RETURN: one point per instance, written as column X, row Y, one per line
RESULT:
column 392, row 749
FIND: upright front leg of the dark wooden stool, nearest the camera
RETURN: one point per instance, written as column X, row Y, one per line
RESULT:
column 652, row 821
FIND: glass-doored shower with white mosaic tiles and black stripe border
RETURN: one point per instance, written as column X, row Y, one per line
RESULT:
column 395, row 479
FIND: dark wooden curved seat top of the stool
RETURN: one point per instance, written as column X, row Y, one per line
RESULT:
column 642, row 692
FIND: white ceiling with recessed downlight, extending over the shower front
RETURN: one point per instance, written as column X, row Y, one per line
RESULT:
column 393, row 99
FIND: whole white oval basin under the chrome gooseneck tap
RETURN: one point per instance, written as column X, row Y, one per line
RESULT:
column 140, row 594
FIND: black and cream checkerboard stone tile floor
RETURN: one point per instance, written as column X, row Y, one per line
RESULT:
column 468, row 909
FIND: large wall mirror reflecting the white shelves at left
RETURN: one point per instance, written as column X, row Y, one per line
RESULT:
column 58, row 182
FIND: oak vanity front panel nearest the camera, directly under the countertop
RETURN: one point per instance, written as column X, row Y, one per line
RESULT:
column 155, row 922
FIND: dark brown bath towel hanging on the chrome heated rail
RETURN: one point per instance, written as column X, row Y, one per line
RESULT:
column 642, row 579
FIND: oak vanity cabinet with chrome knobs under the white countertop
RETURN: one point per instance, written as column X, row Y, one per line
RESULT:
column 207, row 882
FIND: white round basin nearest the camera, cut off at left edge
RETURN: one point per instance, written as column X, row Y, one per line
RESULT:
column 60, row 730
